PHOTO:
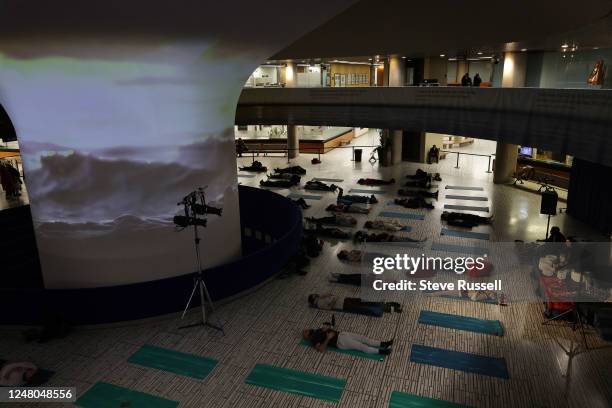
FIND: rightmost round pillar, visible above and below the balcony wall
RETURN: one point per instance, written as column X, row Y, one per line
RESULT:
column 506, row 154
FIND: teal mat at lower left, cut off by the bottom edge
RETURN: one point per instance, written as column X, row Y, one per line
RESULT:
column 105, row 395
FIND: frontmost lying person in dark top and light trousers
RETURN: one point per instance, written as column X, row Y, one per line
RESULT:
column 326, row 336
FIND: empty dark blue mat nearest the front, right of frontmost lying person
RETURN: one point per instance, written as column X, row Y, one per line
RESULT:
column 456, row 360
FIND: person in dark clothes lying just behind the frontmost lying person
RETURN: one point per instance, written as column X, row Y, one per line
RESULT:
column 328, row 301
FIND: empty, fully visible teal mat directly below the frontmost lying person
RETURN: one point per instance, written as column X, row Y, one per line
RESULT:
column 297, row 382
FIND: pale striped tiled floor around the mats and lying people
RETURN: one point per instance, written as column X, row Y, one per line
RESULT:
column 264, row 326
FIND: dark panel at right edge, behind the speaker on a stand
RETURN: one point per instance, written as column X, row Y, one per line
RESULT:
column 590, row 194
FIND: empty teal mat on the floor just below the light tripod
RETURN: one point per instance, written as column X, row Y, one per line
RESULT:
column 189, row 365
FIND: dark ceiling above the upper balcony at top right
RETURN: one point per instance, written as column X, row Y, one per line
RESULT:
column 373, row 27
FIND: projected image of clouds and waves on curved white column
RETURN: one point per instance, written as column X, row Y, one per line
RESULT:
column 112, row 142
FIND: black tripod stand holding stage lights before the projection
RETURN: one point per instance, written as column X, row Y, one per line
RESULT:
column 192, row 209
